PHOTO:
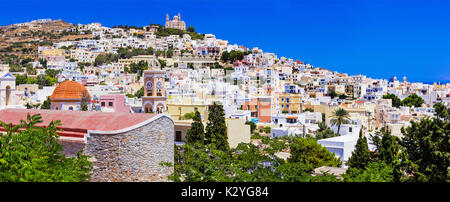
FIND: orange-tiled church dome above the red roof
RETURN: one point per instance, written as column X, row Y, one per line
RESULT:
column 70, row 90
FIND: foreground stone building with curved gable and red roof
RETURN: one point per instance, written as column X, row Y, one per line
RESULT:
column 122, row 146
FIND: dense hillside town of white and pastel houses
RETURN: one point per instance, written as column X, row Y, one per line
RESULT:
column 289, row 96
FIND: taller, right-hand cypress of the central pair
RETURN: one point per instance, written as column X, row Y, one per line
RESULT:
column 216, row 130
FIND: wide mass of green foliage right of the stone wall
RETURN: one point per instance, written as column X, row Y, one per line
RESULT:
column 245, row 163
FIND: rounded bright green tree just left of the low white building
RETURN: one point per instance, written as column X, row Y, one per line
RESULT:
column 309, row 152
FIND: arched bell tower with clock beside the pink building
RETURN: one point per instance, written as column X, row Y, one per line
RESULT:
column 154, row 99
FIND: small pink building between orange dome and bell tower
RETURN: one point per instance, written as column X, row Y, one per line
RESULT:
column 113, row 103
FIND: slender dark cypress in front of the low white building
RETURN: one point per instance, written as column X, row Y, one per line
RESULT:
column 360, row 156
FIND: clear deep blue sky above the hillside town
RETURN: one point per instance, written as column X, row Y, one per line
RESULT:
column 378, row 38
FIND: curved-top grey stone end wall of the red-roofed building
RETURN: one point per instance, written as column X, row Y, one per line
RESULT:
column 134, row 155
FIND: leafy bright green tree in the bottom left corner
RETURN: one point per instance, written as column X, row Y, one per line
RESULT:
column 34, row 155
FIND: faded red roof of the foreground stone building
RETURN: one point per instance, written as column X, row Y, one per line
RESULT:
column 77, row 123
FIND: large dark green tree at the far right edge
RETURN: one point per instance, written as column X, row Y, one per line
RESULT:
column 427, row 151
